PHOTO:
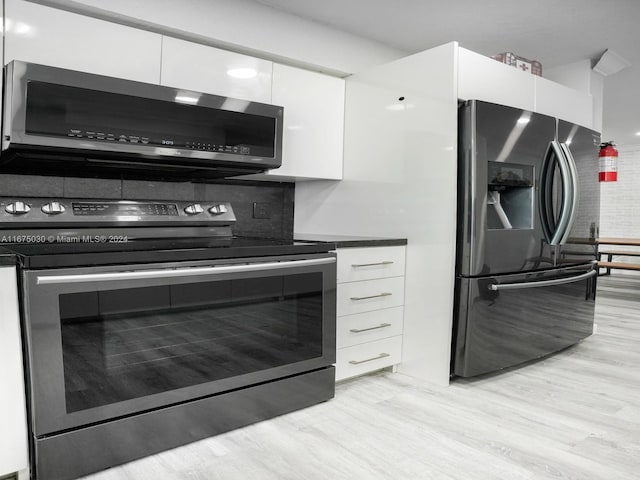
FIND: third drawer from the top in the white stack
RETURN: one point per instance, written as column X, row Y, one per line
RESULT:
column 369, row 326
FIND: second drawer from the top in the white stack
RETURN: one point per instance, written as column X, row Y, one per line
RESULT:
column 370, row 295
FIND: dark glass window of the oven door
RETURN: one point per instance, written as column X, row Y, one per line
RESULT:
column 126, row 343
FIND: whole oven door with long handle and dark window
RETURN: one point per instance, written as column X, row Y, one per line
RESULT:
column 112, row 341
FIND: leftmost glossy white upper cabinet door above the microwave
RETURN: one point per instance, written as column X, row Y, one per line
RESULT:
column 39, row 34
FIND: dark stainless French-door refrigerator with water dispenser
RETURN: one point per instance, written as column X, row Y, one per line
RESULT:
column 528, row 211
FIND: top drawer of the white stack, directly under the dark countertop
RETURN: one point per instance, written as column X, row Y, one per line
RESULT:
column 356, row 264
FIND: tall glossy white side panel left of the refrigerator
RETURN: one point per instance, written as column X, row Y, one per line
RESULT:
column 400, row 181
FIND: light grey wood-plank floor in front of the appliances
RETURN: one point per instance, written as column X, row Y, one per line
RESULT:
column 574, row 415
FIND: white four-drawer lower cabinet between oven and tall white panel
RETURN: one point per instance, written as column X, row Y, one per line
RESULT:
column 370, row 310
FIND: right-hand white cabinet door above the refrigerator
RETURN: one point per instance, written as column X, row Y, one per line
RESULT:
column 563, row 102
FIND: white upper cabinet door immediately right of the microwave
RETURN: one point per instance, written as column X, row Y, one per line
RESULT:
column 313, row 123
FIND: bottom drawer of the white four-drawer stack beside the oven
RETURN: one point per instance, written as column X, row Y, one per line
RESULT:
column 367, row 357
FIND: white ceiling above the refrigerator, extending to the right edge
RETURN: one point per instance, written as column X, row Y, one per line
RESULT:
column 554, row 32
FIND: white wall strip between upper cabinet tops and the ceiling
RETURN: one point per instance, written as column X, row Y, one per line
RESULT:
column 244, row 26
